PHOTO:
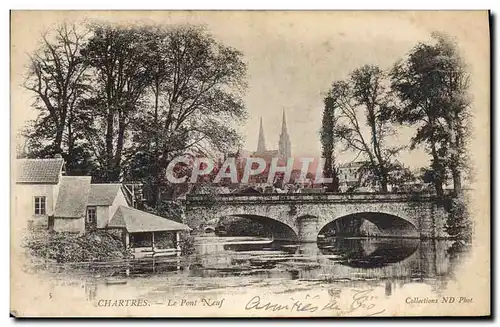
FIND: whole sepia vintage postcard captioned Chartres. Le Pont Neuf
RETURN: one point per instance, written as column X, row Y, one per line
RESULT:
column 250, row 163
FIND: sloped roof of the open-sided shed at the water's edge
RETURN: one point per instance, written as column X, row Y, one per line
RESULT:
column 139, row 221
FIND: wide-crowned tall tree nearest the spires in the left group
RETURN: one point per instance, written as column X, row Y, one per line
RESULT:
column 195, row 98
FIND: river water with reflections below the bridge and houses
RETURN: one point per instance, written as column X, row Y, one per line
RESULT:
column 243, row 264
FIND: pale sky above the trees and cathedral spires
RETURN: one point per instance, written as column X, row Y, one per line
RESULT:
column 292, row 58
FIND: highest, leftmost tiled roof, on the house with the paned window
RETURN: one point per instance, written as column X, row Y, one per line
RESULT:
column 38, row 171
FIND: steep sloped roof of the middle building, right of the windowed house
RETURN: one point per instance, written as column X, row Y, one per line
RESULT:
column 72, row 197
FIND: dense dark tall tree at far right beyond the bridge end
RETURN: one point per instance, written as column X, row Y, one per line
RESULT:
column 431, row 84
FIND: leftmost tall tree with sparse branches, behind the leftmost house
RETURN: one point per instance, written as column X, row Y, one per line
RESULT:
column 58, row 77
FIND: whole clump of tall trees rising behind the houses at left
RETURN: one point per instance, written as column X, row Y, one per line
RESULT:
column 119, row 102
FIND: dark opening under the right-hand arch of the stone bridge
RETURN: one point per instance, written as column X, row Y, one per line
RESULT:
column 388, row 225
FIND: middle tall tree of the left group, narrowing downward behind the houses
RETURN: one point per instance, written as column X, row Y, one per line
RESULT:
column 118, row 58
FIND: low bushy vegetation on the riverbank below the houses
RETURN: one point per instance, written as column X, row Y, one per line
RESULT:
column 65, row 247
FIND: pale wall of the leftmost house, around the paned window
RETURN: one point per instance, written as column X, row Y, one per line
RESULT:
column 24, row 198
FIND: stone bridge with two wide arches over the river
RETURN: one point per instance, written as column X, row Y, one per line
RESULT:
column 301, row 216
